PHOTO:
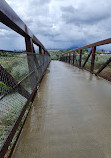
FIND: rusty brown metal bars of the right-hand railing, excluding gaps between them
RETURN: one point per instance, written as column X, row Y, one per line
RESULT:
column 92, row 53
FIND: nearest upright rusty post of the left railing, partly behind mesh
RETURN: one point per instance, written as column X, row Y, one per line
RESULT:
column 30, row 48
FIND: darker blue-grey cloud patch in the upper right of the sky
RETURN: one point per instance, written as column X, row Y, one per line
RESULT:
column 85, row 16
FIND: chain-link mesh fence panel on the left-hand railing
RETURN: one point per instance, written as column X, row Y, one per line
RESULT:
column 19, row 75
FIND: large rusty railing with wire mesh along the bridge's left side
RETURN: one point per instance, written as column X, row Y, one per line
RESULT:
column 20, row 75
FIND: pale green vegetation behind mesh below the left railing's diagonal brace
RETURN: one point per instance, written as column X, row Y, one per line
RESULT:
column 8, row 121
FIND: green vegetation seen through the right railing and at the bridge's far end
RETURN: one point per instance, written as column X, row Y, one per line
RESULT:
column 100, row 59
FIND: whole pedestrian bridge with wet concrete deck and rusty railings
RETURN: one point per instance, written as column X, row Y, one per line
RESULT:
column 53, row 109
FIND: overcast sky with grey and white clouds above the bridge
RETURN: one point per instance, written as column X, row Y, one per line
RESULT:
column 60, row 24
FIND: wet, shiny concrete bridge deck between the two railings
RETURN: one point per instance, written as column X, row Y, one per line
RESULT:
column 70, row 117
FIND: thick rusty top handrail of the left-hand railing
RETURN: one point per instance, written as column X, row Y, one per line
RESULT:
column 12, row 20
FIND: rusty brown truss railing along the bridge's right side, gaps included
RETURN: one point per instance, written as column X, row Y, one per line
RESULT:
column 90, row 60
